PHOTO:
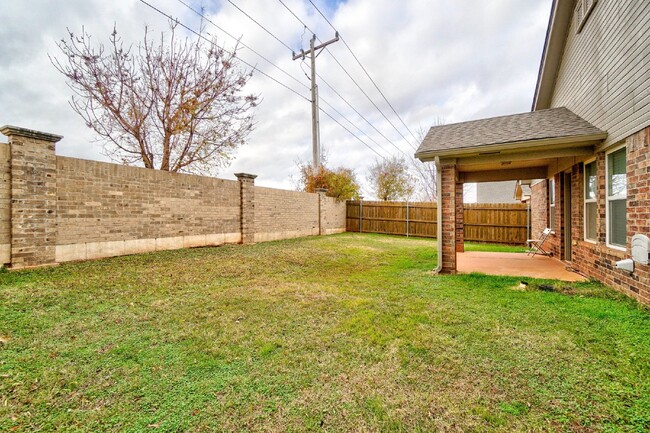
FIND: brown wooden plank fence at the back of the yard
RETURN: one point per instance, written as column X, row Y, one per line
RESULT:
column 493, row 223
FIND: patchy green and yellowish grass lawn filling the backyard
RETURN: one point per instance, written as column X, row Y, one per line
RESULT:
column 339, row 333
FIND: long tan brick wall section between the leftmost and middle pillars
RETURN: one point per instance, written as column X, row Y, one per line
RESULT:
column 106, row 209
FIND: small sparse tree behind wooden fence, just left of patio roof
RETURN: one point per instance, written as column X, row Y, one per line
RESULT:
column 390, row 179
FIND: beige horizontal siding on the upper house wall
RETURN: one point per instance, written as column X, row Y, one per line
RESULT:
column 605, row 72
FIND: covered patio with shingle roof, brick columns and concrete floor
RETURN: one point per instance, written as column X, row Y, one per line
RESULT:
column 524, row 147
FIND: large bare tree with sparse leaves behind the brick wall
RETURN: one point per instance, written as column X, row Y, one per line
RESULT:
column 174, row 105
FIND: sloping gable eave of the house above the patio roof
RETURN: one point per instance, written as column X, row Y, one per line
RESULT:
column 556, row 33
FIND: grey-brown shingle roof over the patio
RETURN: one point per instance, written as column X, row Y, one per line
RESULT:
column 537, row 125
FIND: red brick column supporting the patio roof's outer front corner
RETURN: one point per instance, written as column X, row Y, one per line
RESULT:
column 448, row 198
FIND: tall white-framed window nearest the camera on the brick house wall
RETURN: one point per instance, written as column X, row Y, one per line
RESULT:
column 616, row 198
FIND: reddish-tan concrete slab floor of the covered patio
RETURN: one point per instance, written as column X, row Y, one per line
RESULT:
column 515, row 264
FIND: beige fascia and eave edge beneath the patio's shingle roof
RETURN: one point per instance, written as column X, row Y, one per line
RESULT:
column 526, row 145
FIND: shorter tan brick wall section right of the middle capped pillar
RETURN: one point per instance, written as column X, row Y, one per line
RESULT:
column 283, row 214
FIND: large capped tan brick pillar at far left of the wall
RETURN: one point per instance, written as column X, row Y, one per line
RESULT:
column 33, row 196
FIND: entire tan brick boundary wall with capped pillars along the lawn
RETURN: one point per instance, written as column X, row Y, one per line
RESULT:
column 56, row 209
